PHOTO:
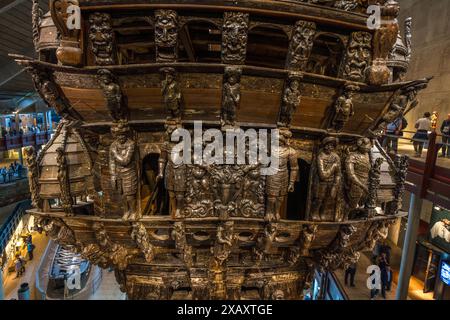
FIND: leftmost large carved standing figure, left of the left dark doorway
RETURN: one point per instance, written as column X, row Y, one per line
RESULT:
column 123, row 169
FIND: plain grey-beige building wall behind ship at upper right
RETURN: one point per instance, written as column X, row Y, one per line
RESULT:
column 431, row 54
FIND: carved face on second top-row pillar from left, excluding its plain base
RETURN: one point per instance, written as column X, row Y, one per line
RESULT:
column 166, row 31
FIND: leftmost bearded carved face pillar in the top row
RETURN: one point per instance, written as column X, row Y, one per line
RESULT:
column 101, row 36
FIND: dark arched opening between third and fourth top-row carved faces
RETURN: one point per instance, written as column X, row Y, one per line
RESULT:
column 267, row 46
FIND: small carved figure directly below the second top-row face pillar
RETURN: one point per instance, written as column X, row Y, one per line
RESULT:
column 171, row 93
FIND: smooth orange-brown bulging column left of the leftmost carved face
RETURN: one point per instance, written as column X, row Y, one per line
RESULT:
column 69, row 51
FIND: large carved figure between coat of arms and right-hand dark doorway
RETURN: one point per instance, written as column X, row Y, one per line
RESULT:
column 279, row 184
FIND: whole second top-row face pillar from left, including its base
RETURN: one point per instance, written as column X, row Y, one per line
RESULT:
column 166, row 35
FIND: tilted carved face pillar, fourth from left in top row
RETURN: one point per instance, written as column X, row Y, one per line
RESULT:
column 301, row 45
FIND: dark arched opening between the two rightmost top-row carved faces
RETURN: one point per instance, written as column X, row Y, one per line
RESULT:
column 326, row 55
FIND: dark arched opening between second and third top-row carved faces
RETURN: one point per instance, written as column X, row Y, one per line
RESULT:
column 199, row 41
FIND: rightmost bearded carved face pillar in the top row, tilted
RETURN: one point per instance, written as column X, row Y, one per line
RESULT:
column 358, row 56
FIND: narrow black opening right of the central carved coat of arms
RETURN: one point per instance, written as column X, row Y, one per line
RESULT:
column 296, row 201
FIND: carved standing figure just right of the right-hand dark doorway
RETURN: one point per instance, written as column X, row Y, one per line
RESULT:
column 327, row 181
